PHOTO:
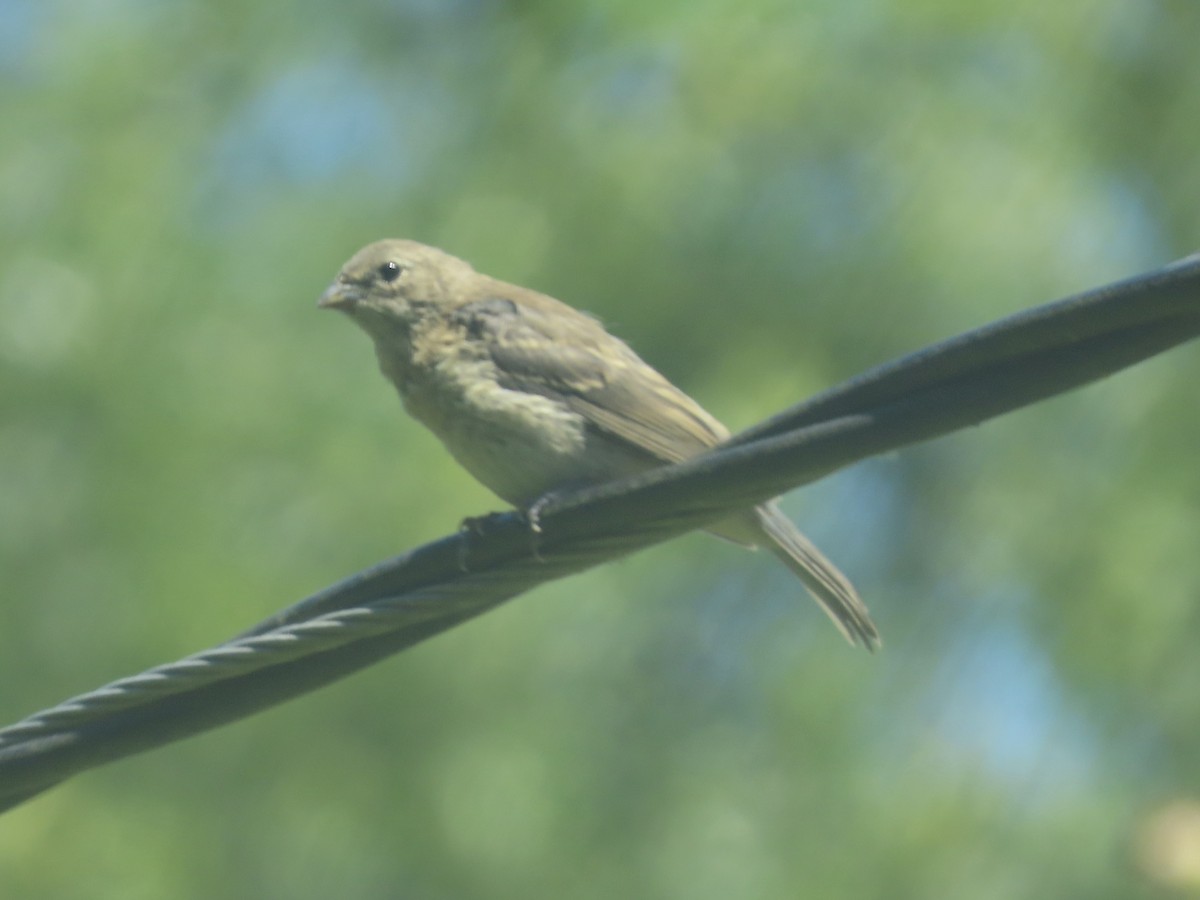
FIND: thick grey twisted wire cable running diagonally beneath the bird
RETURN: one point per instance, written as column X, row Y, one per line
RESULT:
column 381, row 611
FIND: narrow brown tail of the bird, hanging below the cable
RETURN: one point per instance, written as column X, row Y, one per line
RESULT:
column 827, row 585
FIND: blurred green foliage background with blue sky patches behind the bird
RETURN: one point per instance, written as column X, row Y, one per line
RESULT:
column 764, row 199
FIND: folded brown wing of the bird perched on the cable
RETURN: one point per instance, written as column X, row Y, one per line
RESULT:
column 562, row 353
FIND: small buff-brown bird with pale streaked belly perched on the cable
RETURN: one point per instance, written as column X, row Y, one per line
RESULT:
column 532, row 397
